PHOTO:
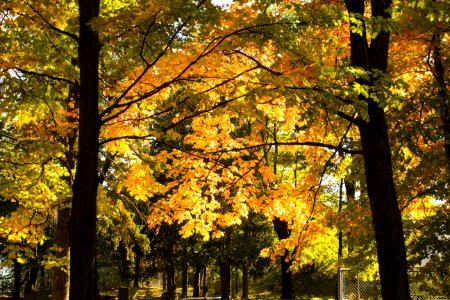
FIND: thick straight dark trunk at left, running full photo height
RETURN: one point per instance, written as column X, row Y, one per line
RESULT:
column 82, row 230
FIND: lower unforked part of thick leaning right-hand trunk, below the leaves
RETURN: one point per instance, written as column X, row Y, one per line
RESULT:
column 386, row 214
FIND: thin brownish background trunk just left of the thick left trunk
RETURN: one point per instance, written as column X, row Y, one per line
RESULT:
column 60, row 282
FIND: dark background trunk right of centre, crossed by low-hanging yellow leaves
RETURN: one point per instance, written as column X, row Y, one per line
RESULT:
column 283, row 232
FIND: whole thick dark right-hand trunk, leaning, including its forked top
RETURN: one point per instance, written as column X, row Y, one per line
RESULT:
column 386, row 214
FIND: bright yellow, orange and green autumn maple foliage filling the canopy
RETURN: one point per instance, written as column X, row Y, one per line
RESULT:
column 198, row 104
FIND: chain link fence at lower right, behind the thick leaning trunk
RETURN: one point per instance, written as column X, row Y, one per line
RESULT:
column 350, row 287
